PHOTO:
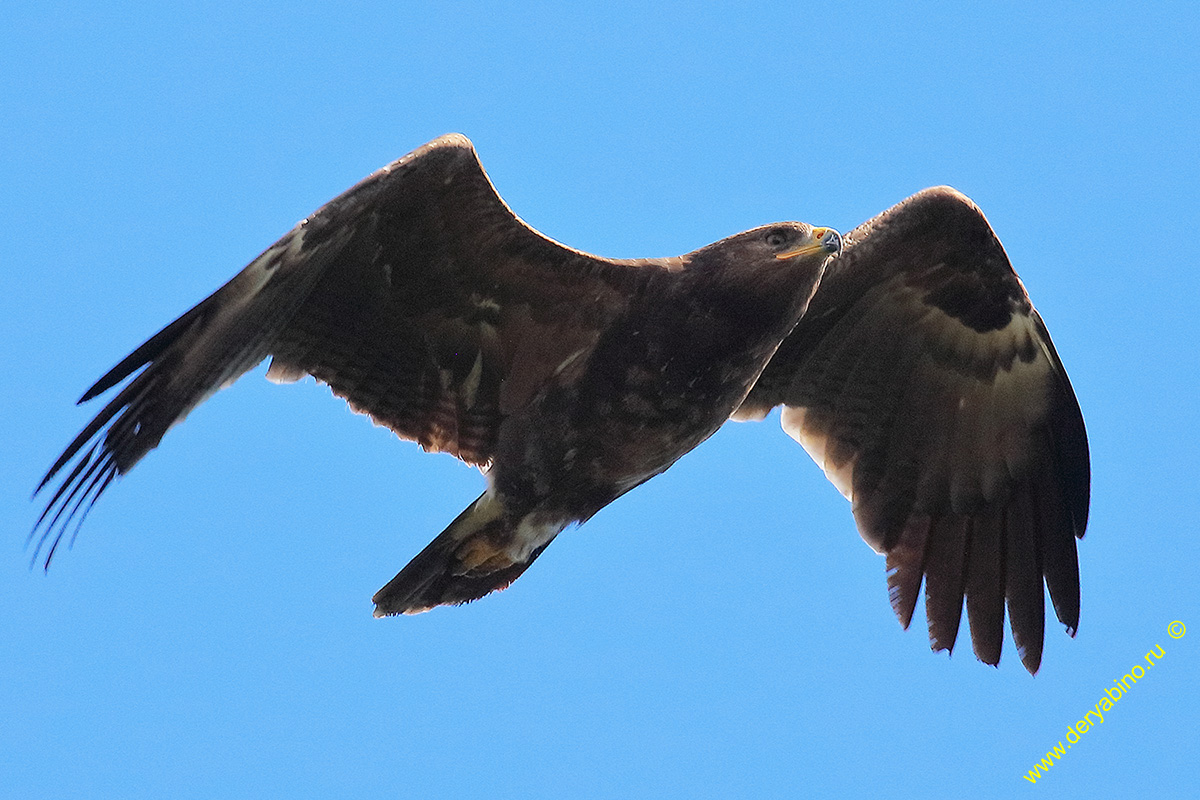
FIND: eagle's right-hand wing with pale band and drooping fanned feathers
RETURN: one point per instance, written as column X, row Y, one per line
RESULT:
column 926, row 386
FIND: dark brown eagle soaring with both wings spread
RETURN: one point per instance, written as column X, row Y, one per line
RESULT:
column 907, row 357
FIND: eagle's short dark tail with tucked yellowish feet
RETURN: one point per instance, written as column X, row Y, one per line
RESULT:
column 483, row 551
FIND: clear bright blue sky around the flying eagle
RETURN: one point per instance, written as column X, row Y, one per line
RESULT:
column 723, row 631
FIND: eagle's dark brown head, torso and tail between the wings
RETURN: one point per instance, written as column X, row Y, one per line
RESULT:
column 671, row 362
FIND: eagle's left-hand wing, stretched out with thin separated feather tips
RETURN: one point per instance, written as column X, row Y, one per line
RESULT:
column 417, row 296
